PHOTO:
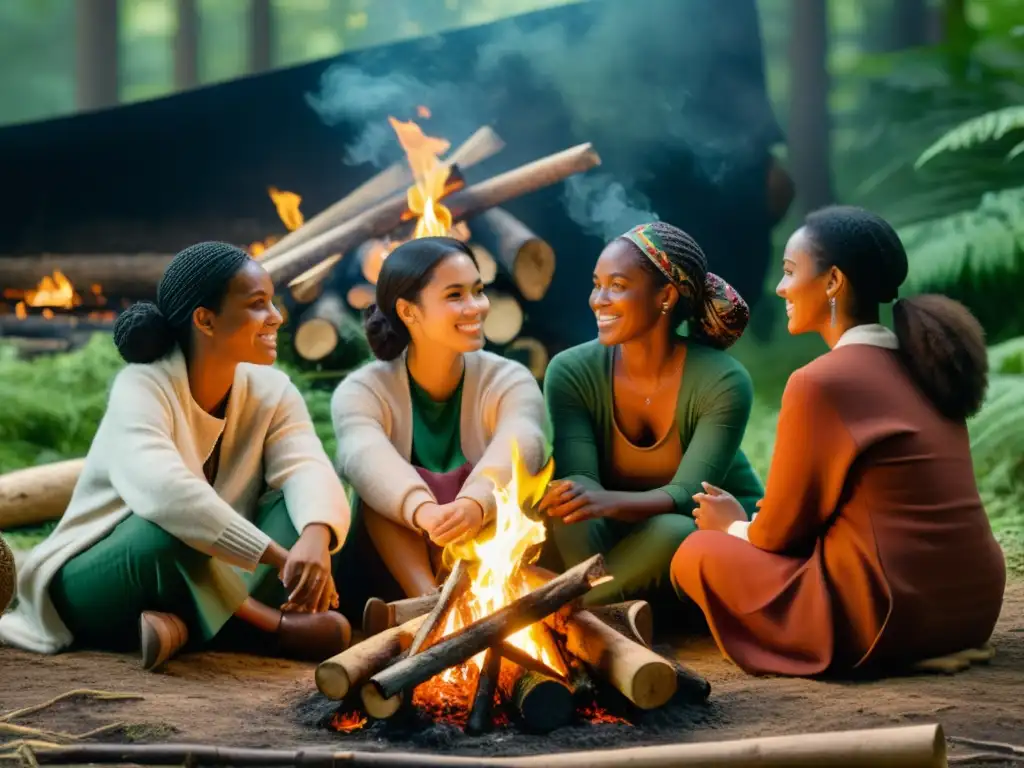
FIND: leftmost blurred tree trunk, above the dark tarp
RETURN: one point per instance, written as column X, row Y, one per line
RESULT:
column 97, row 54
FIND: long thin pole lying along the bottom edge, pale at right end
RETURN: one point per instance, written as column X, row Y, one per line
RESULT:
column 910, row 747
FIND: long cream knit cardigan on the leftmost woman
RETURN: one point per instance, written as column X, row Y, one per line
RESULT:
column 148, row 458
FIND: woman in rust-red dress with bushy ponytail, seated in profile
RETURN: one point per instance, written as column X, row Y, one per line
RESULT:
column 872, row 549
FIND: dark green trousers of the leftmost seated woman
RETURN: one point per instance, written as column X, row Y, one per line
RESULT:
column 101, row 593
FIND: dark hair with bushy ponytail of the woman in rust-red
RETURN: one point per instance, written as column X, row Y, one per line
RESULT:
column 942, row 344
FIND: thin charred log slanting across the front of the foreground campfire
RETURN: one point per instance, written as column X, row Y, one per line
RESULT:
column 483, row 634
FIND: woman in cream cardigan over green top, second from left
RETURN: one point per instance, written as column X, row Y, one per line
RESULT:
column 423, row 431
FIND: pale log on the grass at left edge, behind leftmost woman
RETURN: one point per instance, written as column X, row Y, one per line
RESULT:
column 29, row 497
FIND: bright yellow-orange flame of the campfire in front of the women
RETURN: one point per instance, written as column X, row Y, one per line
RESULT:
column 496, row 571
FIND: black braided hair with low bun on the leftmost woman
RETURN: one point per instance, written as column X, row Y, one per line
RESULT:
column 197, row 277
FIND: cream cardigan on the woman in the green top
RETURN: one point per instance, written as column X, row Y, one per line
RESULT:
column 373, row 420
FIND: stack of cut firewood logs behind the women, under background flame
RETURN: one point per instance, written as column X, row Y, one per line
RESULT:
column 329, row 267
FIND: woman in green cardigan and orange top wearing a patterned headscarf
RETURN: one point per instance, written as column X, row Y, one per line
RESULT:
column 644, row 416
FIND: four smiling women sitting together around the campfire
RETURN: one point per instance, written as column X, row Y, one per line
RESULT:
column 208, row 508
